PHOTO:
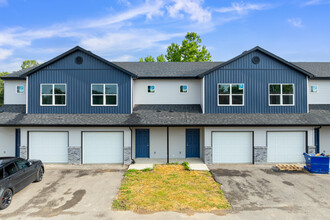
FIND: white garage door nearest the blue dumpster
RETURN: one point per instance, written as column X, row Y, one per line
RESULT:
column 286, row 147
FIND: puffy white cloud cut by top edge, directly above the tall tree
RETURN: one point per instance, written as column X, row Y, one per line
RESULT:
column 191, row 7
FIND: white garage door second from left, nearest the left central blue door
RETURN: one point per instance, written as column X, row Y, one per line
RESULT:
column 103, row 147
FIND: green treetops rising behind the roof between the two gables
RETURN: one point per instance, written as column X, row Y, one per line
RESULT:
column 190, row 50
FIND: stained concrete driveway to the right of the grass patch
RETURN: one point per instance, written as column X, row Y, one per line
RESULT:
column 258, row 191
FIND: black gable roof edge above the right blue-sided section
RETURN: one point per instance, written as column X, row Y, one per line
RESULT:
column 257, row 48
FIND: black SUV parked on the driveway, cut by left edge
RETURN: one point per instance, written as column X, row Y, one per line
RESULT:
column 15, row 175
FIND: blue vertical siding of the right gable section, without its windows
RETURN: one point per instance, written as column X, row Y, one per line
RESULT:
column 256, row 78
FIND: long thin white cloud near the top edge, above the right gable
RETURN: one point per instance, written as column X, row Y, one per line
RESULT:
column 242, row 8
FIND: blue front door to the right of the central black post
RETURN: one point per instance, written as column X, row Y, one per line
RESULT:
column 192, row 143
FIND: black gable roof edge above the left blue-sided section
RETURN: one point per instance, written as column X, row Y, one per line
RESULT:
column 77, row 48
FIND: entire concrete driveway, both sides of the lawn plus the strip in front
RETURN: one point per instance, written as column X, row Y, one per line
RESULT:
column 86, row 192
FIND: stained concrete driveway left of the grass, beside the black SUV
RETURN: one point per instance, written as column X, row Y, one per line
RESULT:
column 68, row 192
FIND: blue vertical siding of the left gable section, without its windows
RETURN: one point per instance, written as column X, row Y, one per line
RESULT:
column 79, row 79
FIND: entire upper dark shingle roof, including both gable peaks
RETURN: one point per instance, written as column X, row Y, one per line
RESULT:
column 320, row 70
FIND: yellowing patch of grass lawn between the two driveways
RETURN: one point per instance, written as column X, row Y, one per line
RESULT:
column 170, row 188
